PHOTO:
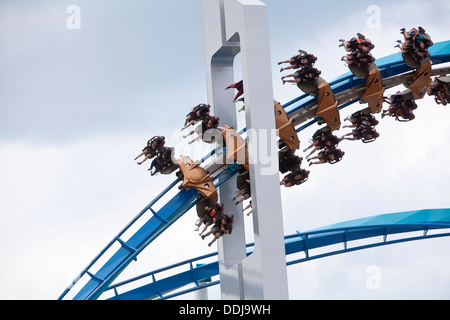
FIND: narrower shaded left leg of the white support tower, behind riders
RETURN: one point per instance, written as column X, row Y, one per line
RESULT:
column 219, row 56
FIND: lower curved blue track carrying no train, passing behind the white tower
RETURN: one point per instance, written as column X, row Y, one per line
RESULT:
column 381, row 226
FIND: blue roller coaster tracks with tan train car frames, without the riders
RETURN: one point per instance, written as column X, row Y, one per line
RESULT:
column 200, row 180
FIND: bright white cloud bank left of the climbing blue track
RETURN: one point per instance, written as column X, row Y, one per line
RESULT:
column 61, row 205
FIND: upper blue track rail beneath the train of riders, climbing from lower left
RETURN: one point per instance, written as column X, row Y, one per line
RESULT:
column 184, row 201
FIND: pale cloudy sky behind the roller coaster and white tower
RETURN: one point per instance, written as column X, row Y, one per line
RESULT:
column 76, row 107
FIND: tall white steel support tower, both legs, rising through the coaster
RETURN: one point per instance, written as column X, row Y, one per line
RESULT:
column 230, row 27
